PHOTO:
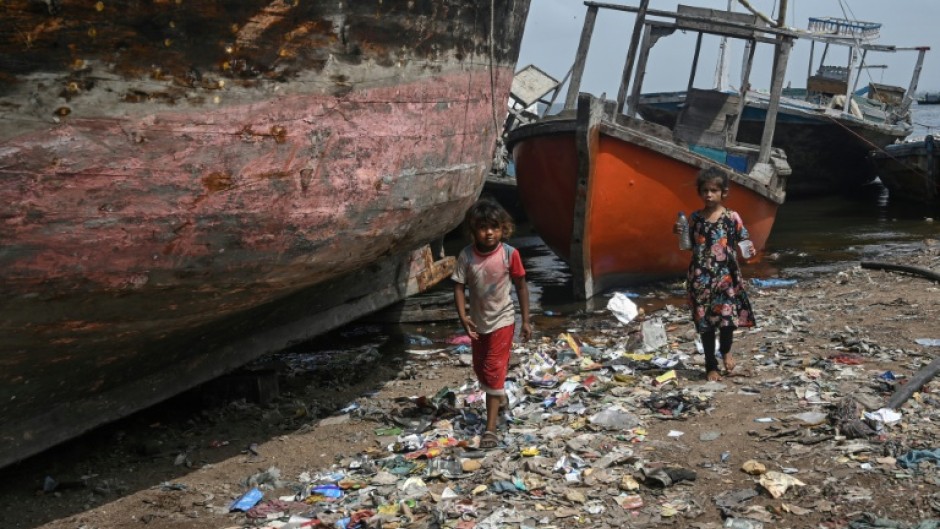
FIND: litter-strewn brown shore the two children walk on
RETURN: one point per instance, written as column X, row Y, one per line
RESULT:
column 162, row 471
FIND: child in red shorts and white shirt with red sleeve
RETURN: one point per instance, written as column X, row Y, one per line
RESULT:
column 489, row 268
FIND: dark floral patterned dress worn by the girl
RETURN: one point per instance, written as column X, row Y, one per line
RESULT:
column 716, row 286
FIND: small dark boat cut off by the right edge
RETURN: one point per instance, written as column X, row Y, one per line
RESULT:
column 910, row 170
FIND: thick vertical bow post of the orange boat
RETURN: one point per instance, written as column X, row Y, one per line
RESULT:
column 587, row 137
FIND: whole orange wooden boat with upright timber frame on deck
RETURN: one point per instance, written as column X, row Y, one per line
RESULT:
column 602, row 187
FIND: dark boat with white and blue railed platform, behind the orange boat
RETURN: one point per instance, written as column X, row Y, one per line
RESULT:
column 826, row 139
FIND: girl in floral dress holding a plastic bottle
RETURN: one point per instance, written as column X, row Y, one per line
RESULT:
column 715, row 284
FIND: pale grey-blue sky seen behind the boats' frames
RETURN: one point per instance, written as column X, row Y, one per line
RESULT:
column 553, row 29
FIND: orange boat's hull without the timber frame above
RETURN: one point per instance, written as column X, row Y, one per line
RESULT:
column 605, row 201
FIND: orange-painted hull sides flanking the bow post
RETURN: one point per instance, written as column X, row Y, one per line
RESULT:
column 636, row 194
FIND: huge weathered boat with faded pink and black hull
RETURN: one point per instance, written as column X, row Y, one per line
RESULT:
column 185, row 186
